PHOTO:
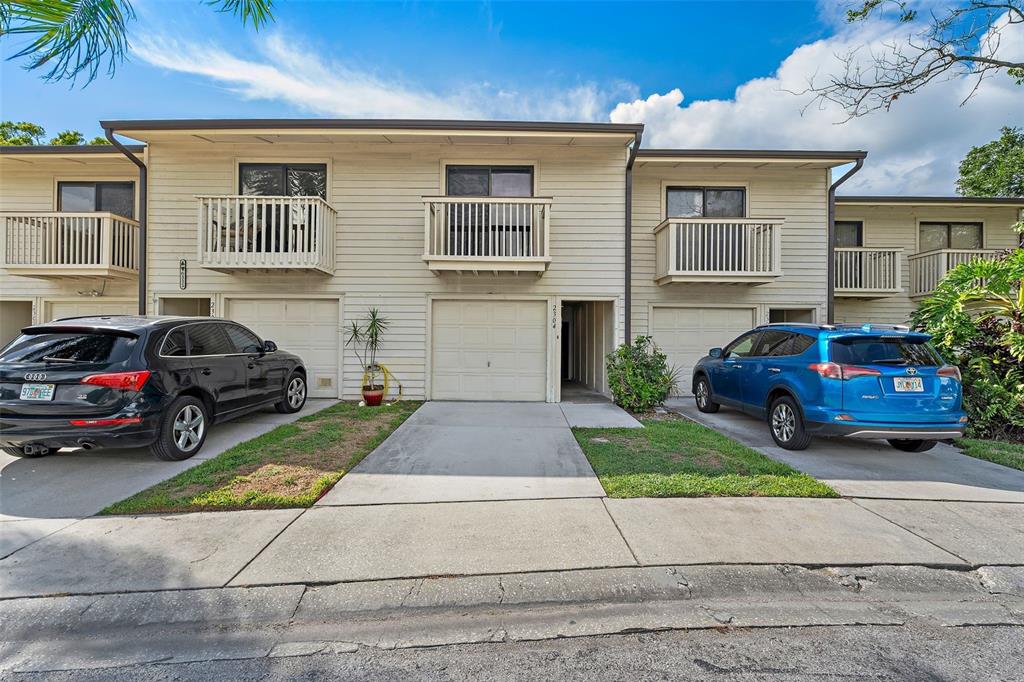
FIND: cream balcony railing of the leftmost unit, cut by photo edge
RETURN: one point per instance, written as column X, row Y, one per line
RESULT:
column 65, row 244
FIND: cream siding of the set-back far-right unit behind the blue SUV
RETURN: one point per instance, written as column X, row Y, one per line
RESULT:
column 890, row 227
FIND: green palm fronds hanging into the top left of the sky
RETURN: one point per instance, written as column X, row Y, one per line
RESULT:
column 69, row 38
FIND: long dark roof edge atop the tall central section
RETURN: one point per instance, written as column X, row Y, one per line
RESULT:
column 372, row 124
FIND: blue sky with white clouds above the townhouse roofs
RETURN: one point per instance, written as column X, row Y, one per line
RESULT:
column 699, row 74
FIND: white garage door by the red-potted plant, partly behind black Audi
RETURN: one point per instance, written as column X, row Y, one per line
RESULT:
column 308, row 328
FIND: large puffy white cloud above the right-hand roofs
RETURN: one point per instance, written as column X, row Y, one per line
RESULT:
column 913, row 149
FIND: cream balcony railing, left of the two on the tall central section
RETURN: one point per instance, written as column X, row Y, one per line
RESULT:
column 244, row 233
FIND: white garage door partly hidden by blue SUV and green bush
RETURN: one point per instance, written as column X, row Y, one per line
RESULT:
column 687, row 334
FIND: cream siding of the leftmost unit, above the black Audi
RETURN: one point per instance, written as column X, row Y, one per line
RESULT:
column 32, row 187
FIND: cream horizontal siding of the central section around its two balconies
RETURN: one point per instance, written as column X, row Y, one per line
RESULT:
column 377, row 191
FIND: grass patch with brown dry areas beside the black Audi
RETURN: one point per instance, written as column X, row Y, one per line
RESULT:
column 291, row 466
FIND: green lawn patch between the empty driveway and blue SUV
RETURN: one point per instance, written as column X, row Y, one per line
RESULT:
column 676, row 458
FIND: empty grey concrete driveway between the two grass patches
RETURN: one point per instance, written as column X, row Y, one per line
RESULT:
column 464, row 452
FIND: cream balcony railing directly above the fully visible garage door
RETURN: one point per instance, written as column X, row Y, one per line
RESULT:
column 487, row 234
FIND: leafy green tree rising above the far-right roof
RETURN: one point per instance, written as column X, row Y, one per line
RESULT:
column 995, row 169
